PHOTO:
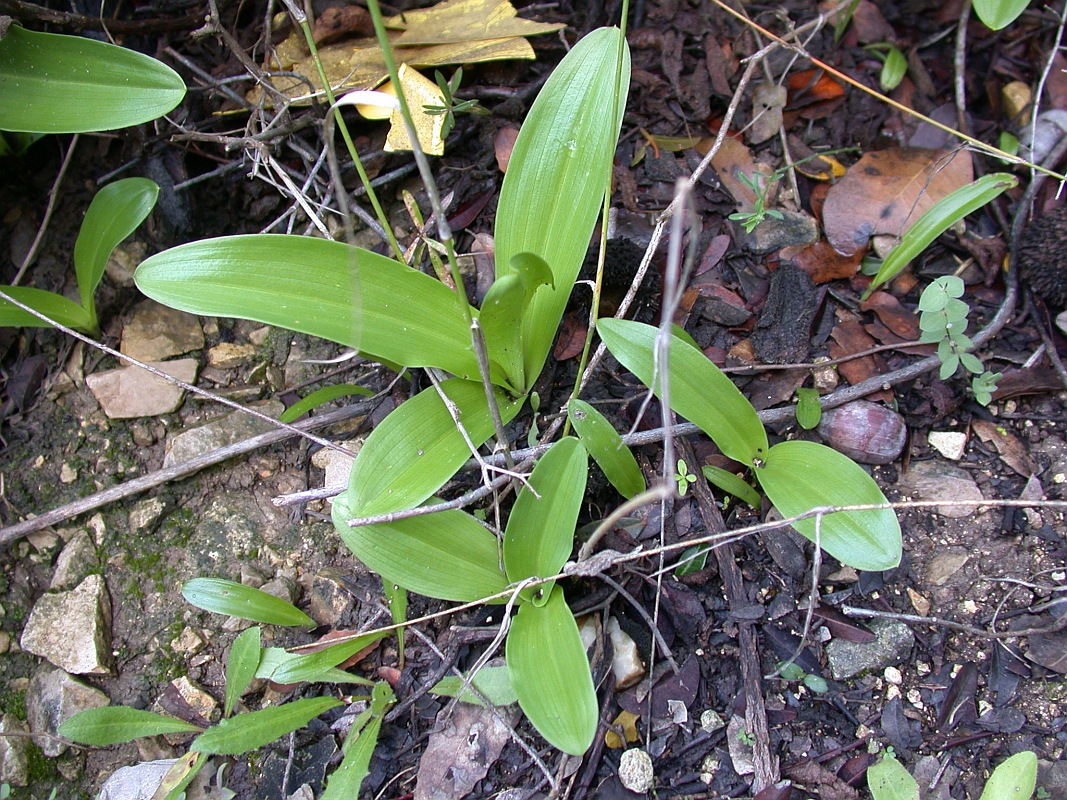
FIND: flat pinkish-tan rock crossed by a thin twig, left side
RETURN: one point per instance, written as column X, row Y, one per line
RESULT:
column 126, row 393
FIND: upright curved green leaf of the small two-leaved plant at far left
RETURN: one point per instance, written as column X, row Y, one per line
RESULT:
column 116, row 213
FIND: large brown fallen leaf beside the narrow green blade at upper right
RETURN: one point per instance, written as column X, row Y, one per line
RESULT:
column 888, row 191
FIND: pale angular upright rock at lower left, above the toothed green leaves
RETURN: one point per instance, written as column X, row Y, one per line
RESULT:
column 73, row 630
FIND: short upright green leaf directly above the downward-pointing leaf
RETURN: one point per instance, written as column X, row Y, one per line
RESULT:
column 540, row 531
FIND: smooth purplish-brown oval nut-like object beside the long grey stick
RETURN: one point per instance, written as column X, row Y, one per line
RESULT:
column 864, row 431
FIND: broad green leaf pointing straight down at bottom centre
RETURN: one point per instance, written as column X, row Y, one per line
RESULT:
column 551, row 675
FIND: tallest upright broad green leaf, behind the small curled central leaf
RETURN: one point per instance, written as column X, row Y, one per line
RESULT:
column 560, row 170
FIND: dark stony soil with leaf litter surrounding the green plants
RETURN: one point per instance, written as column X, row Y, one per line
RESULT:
column 966, row 694
